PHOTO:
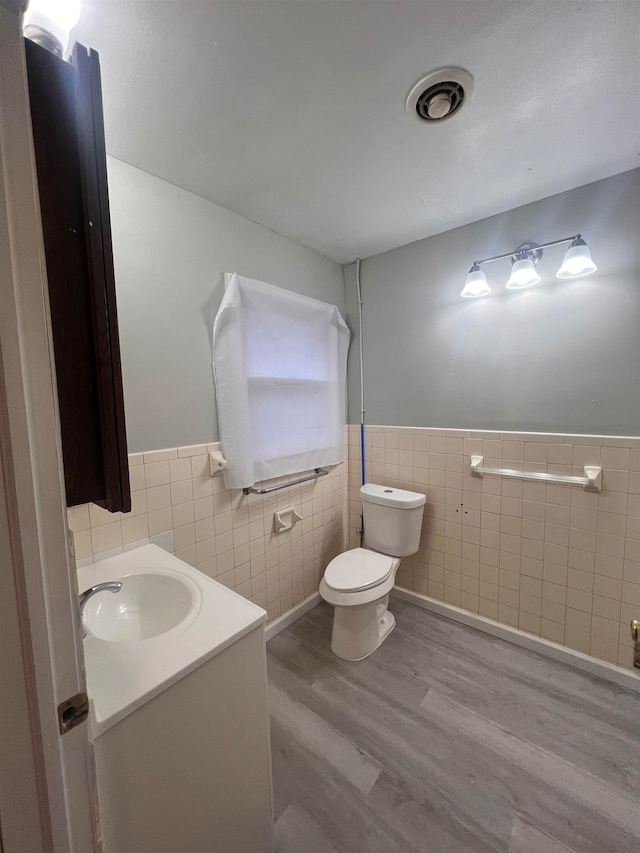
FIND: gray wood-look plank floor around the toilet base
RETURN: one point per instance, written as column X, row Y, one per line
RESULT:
column 447, row 740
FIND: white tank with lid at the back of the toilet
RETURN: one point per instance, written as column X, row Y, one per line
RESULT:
column 392, row 519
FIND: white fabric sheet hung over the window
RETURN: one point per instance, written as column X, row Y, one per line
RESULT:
column 279, row 362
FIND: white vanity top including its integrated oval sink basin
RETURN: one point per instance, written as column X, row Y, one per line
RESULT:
column 167, row 619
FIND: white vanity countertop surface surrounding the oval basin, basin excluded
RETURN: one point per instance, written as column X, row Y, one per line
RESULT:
column 123, row 676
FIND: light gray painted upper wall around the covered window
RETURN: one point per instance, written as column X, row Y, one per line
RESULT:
column 171, row 251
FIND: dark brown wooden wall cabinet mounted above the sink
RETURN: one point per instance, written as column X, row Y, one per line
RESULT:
column 68, row 136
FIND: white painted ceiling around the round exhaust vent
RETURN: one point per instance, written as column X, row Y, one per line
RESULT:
column 291, row 112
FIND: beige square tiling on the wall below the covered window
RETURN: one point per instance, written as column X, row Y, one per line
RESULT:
column 225, row 534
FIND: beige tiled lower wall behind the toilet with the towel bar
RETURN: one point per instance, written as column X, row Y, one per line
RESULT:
column 552, row 560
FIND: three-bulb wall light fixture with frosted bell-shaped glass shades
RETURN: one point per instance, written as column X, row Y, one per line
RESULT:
column 576, row 264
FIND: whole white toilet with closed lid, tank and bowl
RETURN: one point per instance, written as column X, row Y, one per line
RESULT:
column 357, row 583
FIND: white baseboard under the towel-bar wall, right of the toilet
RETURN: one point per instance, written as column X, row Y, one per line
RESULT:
column 617, row 674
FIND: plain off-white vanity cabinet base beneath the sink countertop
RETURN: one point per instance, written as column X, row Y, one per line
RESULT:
column 190, row 770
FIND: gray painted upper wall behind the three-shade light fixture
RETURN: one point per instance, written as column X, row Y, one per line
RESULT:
column 559, row 357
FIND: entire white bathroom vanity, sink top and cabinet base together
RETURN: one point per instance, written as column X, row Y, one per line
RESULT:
column 176, row 676
